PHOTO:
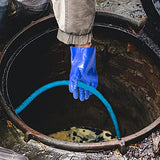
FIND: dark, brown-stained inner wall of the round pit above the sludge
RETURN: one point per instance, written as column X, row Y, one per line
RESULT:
column 128, row 79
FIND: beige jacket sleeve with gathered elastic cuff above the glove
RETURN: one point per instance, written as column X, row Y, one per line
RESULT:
column 75, row 19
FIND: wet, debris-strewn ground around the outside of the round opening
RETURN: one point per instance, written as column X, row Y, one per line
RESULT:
column 13, row 138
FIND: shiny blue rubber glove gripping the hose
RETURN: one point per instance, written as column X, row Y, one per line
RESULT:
column 83, row 69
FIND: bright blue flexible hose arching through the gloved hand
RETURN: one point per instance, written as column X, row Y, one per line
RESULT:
column 80, row 84
